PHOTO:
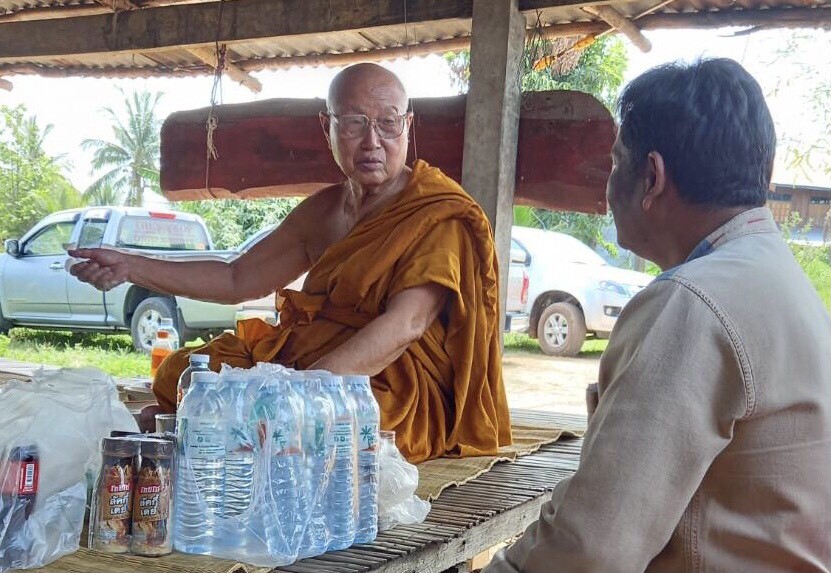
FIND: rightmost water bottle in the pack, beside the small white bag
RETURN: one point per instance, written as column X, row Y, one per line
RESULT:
column 369, row 418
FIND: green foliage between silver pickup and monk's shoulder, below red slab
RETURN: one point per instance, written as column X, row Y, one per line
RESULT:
column 231, row 221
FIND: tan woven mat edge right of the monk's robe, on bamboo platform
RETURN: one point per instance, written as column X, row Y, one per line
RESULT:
column 530, row 430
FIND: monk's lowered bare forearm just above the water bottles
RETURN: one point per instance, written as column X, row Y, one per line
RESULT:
column 409, row 314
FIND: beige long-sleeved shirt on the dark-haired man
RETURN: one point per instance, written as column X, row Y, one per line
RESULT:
column 710, row 449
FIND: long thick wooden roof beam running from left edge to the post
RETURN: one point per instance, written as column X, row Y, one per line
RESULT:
column 195, row 24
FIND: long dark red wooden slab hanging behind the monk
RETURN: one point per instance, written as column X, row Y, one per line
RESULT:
column 275, row 148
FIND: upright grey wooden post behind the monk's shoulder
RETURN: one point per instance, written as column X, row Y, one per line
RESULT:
column 492, row 120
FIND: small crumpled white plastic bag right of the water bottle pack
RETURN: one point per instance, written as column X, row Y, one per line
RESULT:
column 397, row 482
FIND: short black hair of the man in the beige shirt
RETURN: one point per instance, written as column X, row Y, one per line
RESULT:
column 710, row 123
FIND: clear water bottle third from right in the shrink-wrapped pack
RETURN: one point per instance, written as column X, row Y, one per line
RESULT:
column 319, row 452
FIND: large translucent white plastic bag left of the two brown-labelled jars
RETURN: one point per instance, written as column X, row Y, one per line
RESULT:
column 61, row 416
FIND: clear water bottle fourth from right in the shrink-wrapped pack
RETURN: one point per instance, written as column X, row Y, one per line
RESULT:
column 276, row 410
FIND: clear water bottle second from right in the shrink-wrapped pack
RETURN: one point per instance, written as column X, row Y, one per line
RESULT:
column 341, row 493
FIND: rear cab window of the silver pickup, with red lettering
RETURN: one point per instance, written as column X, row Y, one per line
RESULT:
column 164, row 234
